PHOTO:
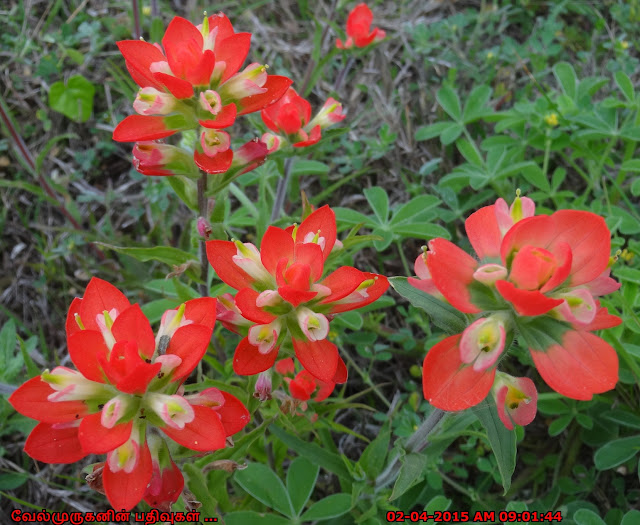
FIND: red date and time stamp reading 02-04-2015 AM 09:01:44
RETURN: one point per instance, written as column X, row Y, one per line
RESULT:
column 503, row 516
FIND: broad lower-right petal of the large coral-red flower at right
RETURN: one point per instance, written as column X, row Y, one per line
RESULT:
column 581, row 366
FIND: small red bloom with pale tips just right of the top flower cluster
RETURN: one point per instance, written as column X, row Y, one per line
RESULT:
column 290, row 117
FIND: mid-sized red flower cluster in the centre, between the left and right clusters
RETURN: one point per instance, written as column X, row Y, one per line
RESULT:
column 282, row 294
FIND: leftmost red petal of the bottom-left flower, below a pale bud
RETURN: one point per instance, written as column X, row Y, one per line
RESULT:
column 30, row 400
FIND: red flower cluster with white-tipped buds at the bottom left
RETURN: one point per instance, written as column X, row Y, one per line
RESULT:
column 126, row 395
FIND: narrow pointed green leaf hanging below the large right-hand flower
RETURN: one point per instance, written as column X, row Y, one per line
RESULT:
column 502, row 441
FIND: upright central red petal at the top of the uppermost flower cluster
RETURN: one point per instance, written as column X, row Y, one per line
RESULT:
column 182, row 43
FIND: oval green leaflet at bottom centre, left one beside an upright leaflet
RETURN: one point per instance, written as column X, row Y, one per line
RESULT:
column 263, row 484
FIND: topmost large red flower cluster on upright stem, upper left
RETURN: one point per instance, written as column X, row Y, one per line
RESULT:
column 194, row 81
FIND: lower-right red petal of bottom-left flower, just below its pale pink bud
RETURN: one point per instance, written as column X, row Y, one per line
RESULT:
column 204, row 433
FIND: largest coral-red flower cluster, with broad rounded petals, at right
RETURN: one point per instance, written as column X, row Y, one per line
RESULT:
column 540, row 275
